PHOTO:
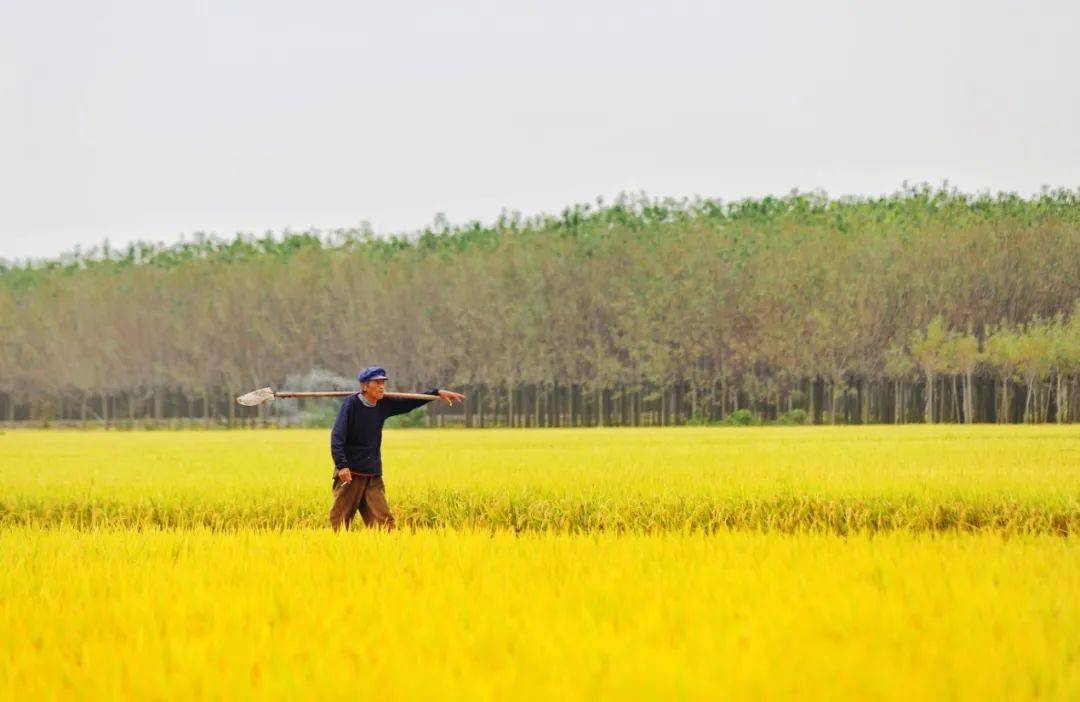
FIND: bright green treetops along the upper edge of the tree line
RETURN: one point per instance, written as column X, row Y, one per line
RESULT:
column 913, row 207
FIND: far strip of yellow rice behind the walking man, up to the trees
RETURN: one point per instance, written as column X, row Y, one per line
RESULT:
column 1010, row 480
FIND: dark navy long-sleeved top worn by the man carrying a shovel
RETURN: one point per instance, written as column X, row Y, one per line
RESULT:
column 357, row 438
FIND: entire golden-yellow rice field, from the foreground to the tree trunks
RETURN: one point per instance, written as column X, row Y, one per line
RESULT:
column 915, row 563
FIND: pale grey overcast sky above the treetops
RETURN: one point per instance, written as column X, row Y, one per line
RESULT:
column 145, row 120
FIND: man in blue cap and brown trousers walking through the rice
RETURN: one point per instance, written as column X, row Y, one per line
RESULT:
column 356, row 443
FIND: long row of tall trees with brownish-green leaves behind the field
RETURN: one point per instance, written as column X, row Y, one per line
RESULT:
column 928, row 305
